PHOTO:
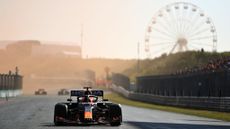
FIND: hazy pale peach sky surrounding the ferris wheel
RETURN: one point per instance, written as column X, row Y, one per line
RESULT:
column 112, row 28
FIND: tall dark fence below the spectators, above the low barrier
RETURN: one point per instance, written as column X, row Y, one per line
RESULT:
column 207, row 84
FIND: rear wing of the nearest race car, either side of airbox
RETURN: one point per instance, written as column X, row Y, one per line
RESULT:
column 79, row 93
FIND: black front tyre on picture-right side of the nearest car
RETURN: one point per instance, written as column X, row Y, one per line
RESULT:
column 115, row 115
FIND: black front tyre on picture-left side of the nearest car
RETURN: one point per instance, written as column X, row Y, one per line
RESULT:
column 60, row 113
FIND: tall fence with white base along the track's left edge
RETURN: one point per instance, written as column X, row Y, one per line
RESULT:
column 10, row 85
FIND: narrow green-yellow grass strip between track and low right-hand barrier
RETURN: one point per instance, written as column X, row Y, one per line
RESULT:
column 202, row 113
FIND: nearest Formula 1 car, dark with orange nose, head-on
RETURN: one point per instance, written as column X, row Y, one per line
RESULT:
column 88, row 107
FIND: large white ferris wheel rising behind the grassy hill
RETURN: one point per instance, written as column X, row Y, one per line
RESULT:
column 179, row 27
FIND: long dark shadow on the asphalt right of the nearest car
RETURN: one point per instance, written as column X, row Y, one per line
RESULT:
column 151, row 125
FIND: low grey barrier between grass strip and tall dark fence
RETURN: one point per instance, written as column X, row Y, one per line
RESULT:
column 208, row 103
